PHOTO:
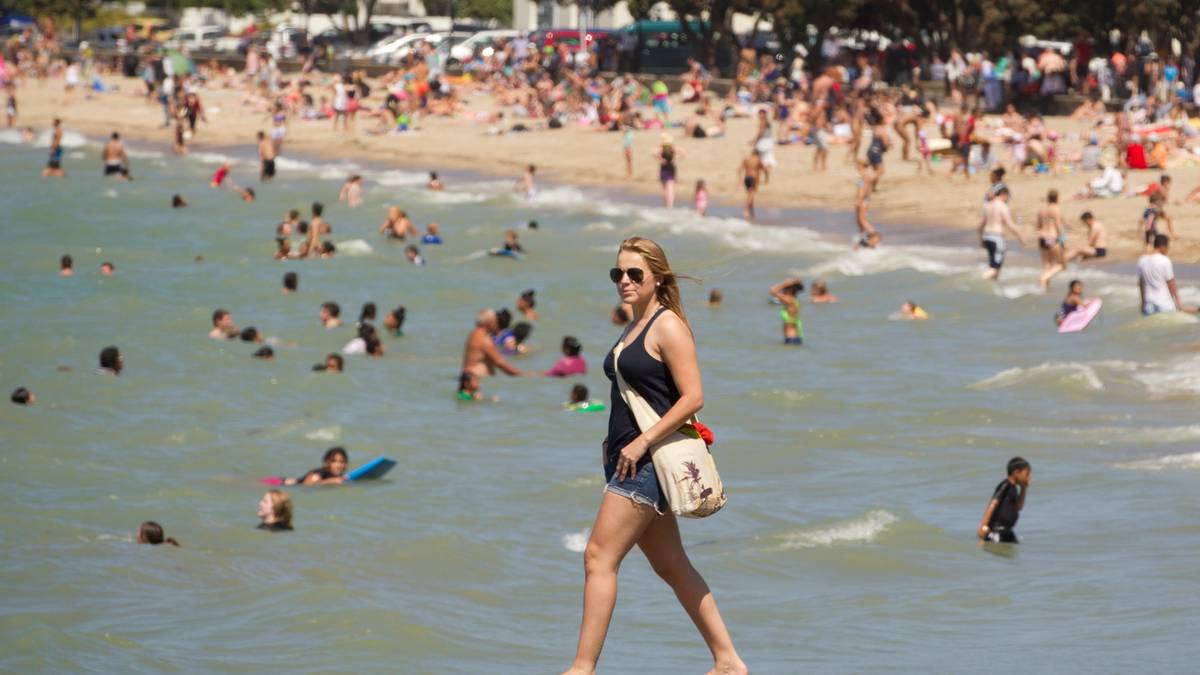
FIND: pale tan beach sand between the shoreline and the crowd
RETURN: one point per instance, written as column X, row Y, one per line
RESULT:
column 583, row 157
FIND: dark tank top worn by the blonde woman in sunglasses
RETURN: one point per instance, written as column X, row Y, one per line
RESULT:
column 649, row 377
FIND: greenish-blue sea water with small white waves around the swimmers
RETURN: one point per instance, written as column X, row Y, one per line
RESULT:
column 857, row 467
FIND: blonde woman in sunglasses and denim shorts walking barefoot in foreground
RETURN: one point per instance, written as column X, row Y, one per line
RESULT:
column 658, row 360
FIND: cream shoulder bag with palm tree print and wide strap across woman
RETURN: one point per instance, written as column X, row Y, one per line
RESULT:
column 686, row 469
